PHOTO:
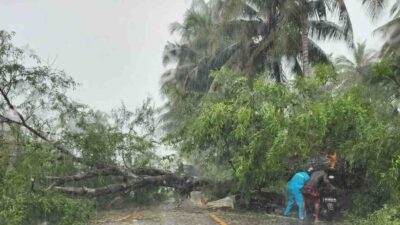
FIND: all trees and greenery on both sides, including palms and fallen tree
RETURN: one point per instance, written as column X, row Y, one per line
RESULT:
column 251, row 98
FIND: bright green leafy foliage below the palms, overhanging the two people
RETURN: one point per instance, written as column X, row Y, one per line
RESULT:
column 272, row 129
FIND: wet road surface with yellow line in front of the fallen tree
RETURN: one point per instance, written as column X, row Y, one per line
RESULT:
column 191, row 215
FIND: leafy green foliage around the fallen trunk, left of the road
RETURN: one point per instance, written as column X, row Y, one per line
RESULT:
column 43, row 133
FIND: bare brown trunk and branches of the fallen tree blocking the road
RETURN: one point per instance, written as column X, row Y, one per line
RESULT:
column 133, row 178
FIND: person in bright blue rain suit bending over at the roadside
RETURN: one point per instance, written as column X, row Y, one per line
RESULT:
column 296, row 183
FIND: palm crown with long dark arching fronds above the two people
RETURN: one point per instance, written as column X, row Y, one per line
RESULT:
column 285, row 27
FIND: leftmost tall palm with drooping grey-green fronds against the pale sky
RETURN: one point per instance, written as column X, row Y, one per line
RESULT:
column 198, row 52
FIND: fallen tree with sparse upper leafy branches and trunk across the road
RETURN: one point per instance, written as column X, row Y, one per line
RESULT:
column 95, row 146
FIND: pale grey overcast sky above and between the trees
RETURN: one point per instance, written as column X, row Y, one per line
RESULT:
column 113, row 47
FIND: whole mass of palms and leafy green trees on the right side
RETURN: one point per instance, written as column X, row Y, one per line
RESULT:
column 226, row 114
